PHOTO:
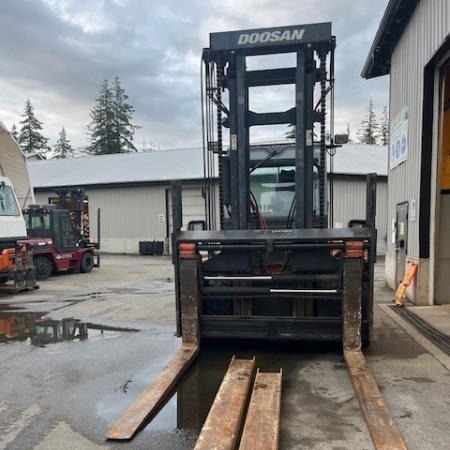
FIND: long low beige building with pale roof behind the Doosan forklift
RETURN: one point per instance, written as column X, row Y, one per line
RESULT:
column 132, row 191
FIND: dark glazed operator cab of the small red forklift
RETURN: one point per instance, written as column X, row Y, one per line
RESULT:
column 53, row 223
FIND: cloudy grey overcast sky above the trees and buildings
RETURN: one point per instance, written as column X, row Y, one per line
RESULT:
column 57, row 53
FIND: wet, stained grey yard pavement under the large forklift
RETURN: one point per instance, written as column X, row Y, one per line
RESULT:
column 66, row 394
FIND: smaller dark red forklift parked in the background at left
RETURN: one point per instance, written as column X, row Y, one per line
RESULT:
column 56, row 236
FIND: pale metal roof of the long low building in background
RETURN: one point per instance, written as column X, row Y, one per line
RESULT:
column 166, row 165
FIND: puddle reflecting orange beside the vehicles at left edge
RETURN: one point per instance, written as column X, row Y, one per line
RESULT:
column 41, row 330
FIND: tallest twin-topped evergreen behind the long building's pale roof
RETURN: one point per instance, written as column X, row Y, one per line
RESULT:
column 111, row 130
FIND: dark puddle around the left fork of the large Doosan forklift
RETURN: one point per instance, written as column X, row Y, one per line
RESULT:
column 183, row 415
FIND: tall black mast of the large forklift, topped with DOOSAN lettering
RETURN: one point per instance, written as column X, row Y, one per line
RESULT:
column 296, row 172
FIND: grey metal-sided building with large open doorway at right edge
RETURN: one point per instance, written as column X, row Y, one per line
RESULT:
column 412, row 45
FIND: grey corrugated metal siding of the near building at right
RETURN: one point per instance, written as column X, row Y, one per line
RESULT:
column 422, row 38
